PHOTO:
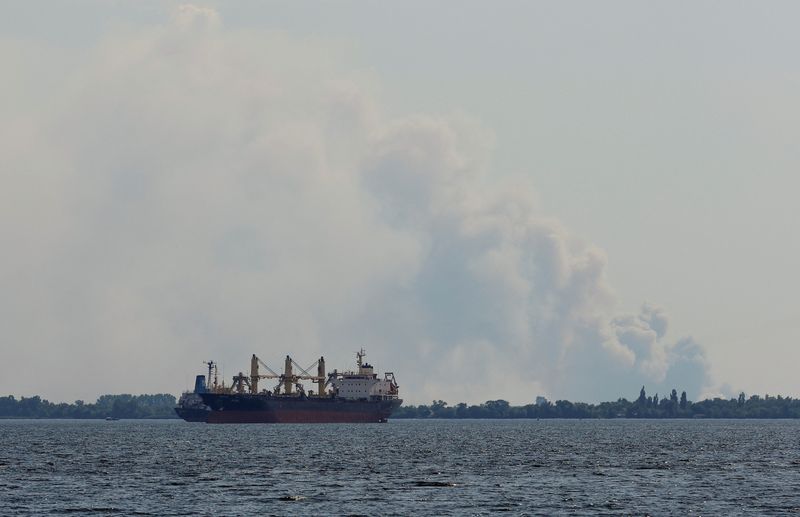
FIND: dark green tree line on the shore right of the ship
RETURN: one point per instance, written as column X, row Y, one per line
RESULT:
column 669, row 406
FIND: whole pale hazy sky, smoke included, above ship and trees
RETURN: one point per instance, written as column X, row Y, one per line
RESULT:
column 495, row 200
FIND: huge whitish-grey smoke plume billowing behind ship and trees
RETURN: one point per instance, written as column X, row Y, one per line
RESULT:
column 191, row 192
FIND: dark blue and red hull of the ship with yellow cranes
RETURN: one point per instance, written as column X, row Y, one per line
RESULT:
column 268, row 409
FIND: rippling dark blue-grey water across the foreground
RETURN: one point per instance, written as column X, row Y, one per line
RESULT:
column 424, row 467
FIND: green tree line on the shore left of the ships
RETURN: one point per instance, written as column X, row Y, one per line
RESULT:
column 115, row 406
